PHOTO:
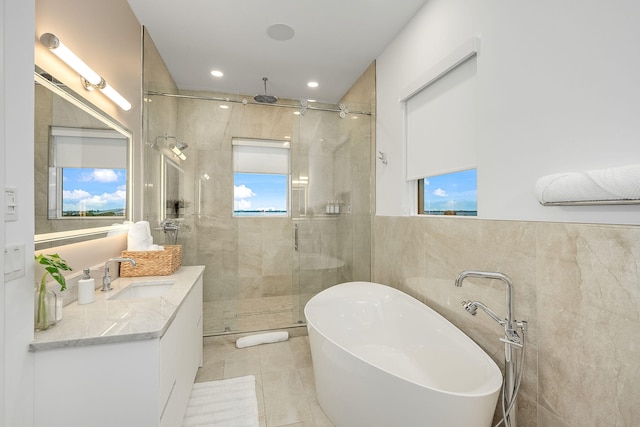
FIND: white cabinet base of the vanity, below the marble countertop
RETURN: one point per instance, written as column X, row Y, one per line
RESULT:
column 127, row 382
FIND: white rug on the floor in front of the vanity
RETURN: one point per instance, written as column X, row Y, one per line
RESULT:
column 224, row 403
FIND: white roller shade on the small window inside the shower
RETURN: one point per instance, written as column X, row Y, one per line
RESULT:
column 260, row 156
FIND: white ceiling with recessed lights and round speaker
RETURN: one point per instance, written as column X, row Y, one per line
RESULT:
column 333, row 43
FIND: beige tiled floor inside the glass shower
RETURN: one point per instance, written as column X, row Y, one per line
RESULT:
column 250, row 314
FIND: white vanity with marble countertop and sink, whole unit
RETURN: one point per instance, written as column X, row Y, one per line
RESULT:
column 122, row 360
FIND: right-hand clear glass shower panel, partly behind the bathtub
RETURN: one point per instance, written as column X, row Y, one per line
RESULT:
column 331, row 203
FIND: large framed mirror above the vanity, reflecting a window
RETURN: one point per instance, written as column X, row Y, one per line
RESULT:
column 82, row 168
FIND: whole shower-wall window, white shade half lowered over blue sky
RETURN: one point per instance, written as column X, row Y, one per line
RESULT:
column 260, row 177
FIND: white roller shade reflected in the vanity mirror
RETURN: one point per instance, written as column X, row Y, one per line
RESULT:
column 88, row 148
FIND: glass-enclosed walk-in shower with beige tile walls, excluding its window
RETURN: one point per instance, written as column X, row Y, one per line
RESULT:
column 260, row 270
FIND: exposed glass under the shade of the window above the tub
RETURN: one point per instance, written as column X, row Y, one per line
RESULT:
column 449, row 194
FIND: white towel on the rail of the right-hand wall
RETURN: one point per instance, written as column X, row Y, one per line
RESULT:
column 622, row 183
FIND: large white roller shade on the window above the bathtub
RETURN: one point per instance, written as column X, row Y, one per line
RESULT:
column 441, row 124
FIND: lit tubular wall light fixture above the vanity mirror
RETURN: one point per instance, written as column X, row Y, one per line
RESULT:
column 90, row 79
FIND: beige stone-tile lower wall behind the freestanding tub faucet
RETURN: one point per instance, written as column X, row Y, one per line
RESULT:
column 577, row 285
